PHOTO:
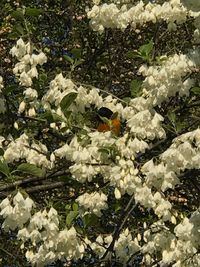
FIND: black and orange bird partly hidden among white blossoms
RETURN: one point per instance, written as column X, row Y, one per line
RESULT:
column 108, row 121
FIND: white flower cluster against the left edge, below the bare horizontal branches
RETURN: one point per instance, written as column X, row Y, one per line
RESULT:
column 16, row 212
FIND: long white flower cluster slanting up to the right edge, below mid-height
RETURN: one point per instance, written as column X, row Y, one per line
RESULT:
column 183, row 154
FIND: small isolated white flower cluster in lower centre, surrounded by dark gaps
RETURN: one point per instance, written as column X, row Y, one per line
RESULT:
column 93, row 202
